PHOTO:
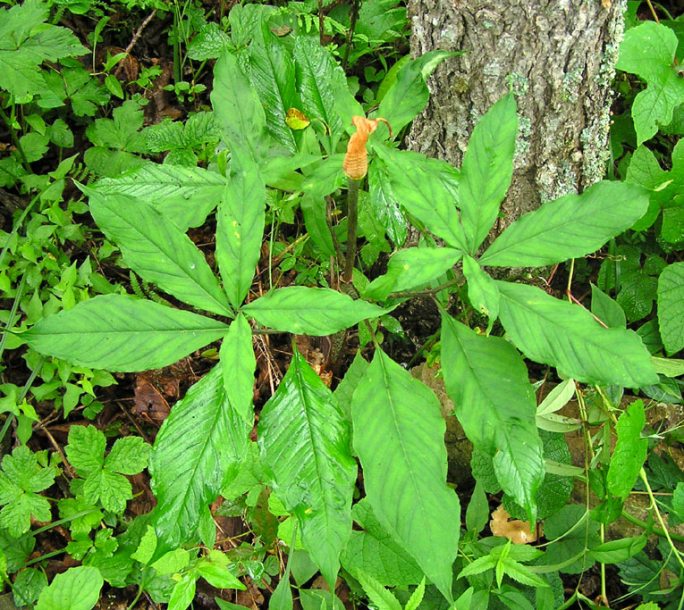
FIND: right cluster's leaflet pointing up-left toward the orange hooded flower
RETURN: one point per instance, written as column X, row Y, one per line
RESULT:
column 432, row 201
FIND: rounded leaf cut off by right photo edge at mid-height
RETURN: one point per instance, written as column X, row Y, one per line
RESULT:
column 671, row 307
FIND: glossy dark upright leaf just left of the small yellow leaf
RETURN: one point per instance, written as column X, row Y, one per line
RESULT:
column 272, row 72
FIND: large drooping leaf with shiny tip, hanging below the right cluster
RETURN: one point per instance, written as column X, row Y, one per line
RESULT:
column 487, row 380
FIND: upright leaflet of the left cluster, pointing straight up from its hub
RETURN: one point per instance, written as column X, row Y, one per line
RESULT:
column 240, row 227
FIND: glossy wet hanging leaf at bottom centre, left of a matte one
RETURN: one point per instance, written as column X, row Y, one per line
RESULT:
column 305, row 441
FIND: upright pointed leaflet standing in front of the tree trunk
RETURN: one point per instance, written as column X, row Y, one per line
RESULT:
column 487, row 170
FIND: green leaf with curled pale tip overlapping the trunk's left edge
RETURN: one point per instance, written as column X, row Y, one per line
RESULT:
column 409, row 94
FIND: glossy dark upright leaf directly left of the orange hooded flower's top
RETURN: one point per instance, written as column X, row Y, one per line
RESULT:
column 318, row 76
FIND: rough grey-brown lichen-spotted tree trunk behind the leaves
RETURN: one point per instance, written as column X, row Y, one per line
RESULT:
column 558, row 56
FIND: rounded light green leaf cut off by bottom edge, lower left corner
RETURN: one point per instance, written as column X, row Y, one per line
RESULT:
column 75, row 589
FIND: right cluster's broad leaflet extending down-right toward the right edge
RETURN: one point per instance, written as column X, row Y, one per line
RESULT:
column 567, row 336
